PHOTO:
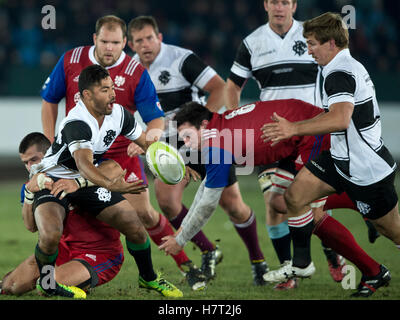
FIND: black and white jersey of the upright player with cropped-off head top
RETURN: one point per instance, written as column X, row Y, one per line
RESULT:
column 282, row 67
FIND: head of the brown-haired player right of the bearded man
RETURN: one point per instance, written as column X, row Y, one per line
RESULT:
column 144, row 38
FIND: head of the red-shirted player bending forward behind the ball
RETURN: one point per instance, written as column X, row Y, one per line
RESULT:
column 191, row 119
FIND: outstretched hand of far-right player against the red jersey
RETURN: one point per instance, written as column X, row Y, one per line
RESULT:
column 277, row 130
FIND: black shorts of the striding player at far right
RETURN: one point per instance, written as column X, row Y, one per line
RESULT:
column 372, row 201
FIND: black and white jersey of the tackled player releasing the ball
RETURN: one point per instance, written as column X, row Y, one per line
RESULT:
column 80, row 130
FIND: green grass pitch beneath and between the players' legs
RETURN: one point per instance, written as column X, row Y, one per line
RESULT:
column 234, row 279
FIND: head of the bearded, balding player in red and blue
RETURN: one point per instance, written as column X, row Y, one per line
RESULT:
column 109, row 39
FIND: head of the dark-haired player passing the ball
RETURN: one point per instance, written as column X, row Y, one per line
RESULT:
column 97, row 90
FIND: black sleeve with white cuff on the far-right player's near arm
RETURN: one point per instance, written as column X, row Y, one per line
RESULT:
column 340, row 87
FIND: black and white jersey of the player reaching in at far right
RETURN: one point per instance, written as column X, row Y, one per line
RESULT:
column 358, row 152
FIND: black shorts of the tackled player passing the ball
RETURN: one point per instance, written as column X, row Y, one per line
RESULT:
column 91, row 199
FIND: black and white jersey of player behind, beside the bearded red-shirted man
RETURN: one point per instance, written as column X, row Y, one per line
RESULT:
column 179, row 77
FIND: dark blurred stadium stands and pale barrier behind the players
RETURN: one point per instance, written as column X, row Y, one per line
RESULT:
column 213, row 29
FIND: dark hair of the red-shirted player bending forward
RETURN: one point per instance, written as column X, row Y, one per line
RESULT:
column 192, row 112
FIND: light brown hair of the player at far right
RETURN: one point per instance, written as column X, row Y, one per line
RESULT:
column 326, row 27
